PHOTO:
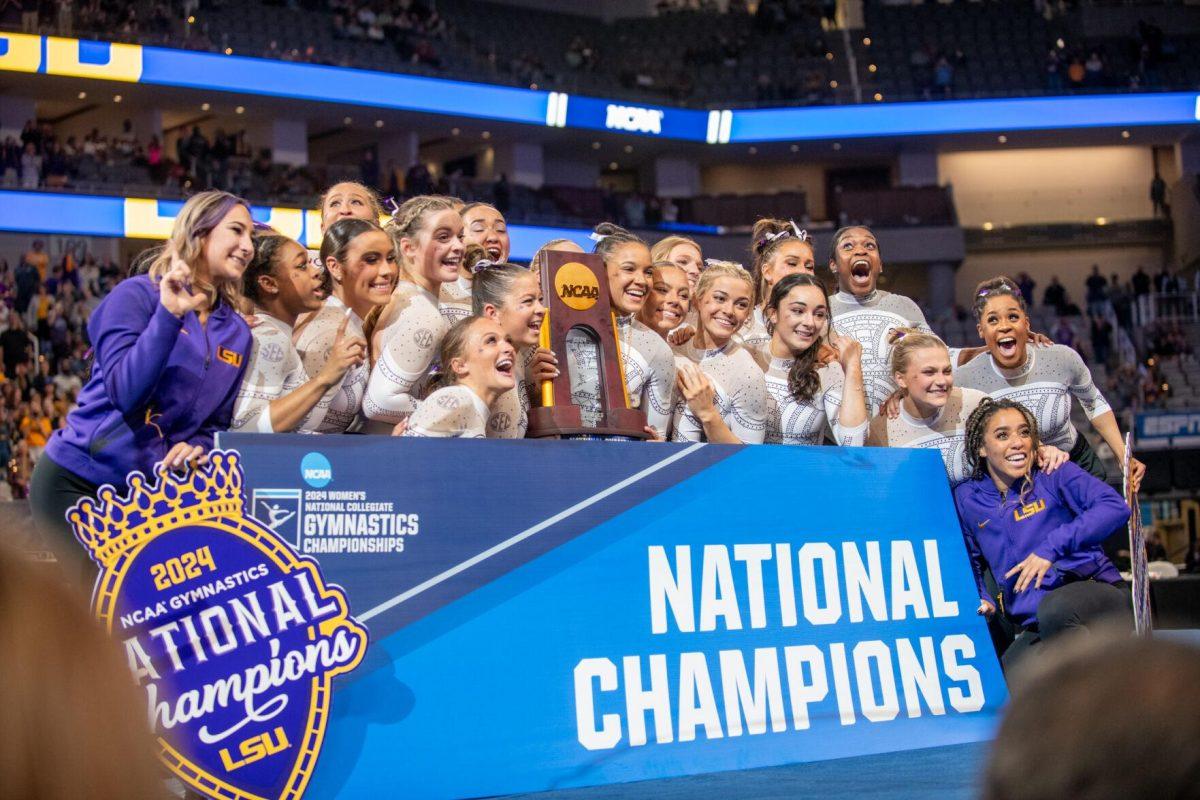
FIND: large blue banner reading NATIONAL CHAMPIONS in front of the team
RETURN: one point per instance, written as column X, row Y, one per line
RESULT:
column 553, row 615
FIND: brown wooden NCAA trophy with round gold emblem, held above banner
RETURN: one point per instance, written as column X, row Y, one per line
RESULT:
column 575, row 287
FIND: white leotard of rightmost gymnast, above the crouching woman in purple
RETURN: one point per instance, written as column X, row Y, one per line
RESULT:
column 1045, row 384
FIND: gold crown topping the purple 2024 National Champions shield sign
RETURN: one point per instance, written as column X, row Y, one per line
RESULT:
column 111, row 526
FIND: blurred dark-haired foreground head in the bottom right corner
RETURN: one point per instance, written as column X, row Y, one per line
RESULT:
column 1107, row 718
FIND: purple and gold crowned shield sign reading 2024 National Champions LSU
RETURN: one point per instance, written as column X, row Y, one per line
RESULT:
column 235, row 639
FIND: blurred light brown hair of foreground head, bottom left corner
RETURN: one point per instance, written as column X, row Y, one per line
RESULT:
column 73, row 723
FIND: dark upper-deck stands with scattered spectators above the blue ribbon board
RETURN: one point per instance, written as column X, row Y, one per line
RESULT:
column 776, row 55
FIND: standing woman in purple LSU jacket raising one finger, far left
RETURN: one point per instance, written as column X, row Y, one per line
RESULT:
column 170, row 354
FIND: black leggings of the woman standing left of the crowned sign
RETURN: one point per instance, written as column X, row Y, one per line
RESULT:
column 52, row 491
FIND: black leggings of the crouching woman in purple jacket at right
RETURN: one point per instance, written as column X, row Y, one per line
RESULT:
column 1071, row 609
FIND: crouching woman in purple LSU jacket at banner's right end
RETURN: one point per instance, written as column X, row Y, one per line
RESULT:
column 1040, row 533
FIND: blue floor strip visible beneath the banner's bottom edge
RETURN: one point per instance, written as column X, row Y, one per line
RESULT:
column 950, row 773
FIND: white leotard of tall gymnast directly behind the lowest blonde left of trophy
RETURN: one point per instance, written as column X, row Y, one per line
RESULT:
column 407, row 342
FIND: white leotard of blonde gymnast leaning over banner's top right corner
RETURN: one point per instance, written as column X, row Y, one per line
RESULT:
column 946, row 431
